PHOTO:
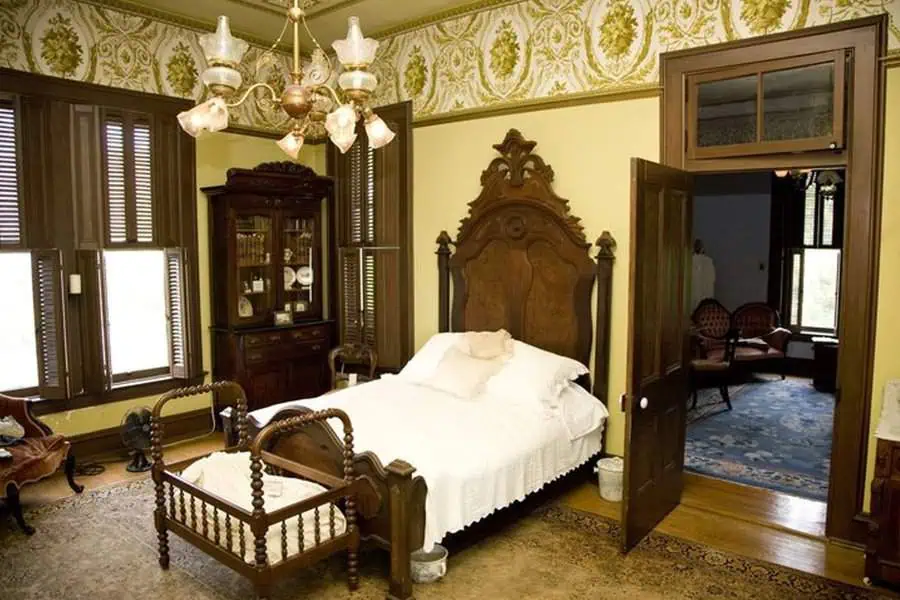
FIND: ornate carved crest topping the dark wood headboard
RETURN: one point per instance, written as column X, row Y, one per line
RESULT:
column 521, row 174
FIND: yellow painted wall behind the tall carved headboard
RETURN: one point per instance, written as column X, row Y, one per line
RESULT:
column 589, row 148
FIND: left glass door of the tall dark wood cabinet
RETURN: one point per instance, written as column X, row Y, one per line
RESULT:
column 255, row 268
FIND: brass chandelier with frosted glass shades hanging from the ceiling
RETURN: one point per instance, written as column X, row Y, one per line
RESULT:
column 309, row 100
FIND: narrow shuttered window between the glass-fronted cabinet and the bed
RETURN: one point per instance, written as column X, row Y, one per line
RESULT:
column 374, row 241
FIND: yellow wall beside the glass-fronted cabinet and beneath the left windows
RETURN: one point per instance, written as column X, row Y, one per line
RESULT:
column 216, row 153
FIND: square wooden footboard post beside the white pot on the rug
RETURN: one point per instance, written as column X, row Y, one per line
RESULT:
column 400, row 489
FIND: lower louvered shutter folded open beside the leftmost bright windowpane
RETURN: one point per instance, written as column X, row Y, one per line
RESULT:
column 49, row 317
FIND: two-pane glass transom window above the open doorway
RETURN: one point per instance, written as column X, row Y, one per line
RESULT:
column 789, row 105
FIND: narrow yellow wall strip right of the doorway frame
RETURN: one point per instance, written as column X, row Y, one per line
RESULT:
column 887, row 345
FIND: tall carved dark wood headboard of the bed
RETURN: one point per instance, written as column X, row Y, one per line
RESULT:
column 522, row 263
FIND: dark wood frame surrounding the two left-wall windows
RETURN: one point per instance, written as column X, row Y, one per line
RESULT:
column 64, row 209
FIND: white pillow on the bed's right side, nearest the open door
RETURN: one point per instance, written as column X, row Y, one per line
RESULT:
column 535, row 375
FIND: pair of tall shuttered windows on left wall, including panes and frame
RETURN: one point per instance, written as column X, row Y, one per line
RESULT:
column 102, row 270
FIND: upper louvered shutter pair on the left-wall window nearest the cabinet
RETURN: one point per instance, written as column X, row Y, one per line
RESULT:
column 128, row 179
